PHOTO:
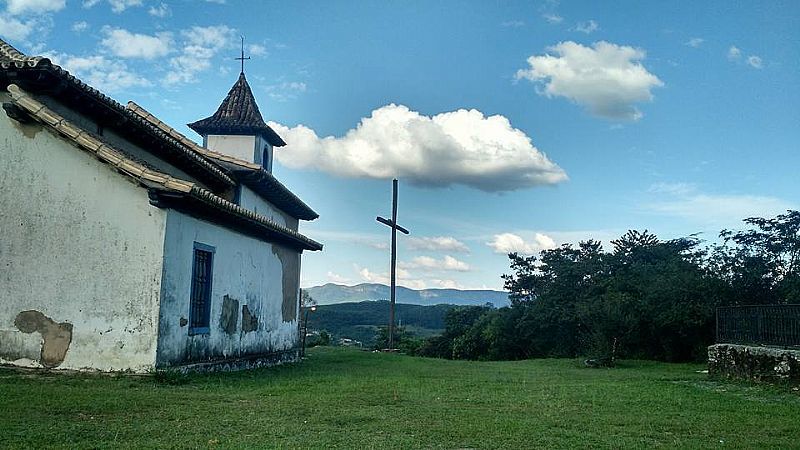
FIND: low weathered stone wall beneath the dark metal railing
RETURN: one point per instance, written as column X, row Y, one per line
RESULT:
column 754, row 363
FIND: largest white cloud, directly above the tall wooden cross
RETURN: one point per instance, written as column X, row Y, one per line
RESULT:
column 461, row 147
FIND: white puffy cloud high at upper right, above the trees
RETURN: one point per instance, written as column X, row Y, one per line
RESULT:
column 607, row 79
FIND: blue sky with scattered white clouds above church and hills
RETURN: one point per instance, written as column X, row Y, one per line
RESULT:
column 511, row 125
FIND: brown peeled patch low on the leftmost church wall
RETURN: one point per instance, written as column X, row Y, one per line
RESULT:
column 56, row 337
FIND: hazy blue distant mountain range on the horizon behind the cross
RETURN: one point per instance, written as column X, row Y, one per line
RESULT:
column 330, row 293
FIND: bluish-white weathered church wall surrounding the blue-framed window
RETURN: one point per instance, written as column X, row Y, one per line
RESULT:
column 247, row 280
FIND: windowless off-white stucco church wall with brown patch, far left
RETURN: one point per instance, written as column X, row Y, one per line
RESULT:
column 81, row 257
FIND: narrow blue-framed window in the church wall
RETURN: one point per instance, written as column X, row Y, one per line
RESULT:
column 200, row 296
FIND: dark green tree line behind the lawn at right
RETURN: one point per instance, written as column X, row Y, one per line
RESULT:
column 647, row 298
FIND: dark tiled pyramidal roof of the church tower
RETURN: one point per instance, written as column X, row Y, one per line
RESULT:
column 238, row 114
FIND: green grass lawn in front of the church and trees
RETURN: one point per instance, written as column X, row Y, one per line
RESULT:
column 351, row 399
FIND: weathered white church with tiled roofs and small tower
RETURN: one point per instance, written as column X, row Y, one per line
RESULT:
column 126, row 246
